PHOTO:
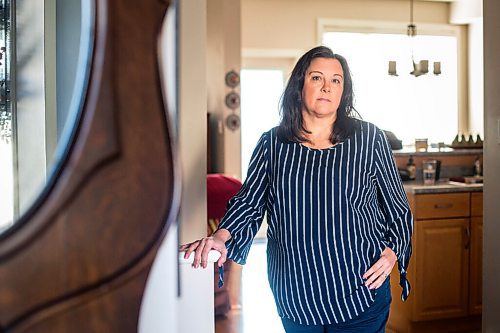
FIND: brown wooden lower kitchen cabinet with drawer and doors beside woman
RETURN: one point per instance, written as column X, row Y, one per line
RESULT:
column 445, row 267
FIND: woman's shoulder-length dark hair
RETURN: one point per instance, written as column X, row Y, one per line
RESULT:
column 291, row 127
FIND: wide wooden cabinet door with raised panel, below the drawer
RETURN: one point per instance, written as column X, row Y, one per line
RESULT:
column 442, row 269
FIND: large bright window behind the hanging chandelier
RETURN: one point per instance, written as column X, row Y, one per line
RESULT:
column 410, row 107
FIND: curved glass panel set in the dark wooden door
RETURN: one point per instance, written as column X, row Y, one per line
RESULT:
column 46, row 48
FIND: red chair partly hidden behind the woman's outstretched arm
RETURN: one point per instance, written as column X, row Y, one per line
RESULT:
column 220, row 189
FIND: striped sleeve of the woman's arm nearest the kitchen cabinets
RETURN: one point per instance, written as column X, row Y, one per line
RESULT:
column 396, row 210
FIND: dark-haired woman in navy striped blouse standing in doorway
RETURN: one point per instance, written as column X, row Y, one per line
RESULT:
column 338, row 216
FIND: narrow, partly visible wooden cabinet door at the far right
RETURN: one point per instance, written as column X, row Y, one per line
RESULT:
column 476, row 266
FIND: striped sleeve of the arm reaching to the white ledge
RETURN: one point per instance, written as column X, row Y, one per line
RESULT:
column 246, row 209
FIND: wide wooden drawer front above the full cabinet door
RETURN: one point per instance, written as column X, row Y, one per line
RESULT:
column 441, row 205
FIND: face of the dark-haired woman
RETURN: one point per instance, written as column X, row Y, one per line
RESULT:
column 323, row 88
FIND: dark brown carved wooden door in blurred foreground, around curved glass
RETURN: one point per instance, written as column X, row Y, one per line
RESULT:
column 79, row 259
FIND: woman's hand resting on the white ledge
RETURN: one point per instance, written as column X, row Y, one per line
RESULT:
column 202, row 247
